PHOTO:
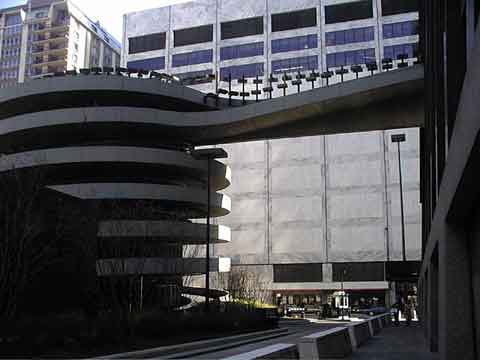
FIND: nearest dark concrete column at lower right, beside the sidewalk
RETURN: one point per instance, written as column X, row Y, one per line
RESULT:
column 455, row 335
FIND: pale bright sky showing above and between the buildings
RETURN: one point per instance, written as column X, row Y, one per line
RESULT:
column 108, row 12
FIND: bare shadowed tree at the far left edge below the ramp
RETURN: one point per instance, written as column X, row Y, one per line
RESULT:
column 25, row 245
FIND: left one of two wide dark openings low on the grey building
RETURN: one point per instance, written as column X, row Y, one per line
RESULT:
column 297, row 273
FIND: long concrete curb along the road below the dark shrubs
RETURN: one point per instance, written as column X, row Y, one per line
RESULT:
column 196, row 345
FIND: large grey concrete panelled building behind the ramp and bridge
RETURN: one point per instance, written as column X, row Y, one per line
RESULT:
column 310, row 214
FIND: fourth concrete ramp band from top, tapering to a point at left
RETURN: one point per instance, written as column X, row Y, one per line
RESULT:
column 184, row 197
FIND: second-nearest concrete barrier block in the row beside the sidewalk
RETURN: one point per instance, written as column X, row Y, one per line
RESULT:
column 333, row 343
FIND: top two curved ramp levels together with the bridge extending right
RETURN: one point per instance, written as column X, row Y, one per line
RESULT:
column 386, row 100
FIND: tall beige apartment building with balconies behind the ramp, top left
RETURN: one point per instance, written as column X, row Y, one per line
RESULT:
column 45, row 36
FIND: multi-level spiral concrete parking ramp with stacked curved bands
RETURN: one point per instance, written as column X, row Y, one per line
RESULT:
column 149, row 187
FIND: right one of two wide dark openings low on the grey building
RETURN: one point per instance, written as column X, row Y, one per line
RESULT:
column 368, row 271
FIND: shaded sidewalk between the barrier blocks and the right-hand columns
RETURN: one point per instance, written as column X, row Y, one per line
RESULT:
column 396, row 343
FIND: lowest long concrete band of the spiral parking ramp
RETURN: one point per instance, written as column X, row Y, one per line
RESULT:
column 160, row 266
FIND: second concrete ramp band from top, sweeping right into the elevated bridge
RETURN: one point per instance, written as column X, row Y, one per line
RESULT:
column 392, row 99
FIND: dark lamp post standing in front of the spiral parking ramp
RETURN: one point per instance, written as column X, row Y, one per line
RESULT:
column 208, row 155
